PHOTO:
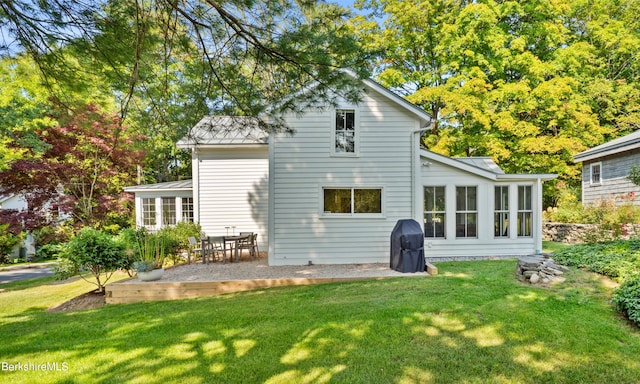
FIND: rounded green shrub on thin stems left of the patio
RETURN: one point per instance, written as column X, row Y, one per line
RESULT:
column 98, row 253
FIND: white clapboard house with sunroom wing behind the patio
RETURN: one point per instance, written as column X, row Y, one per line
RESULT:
column 333, row 191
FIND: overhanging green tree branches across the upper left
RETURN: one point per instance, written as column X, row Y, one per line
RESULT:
column 250, row 57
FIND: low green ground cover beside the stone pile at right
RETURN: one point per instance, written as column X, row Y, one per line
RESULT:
column 619, row 260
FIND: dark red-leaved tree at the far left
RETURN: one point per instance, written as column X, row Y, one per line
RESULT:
column 89, row 157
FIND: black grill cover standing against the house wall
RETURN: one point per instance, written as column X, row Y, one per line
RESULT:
column 407, row 247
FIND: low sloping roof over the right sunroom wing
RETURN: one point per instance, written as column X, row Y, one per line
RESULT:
column 482, row 166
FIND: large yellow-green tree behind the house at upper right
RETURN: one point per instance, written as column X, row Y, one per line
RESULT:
column 529, row 83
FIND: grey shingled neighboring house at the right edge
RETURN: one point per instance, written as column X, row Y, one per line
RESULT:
column 605, row 169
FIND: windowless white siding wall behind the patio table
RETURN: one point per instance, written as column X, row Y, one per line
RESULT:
column 233, row 191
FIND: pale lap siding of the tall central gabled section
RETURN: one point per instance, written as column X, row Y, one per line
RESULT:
column 303, row 164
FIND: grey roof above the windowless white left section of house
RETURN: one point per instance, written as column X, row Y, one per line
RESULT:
column 224, row 130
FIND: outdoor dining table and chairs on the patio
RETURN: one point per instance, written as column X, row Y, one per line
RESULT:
column 215, row 248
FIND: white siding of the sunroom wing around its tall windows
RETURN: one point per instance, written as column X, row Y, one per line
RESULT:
column 437, row 174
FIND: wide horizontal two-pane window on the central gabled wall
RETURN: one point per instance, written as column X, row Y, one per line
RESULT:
column 352, row 200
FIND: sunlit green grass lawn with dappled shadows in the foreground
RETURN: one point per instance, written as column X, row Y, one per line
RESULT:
column 473, row 323
